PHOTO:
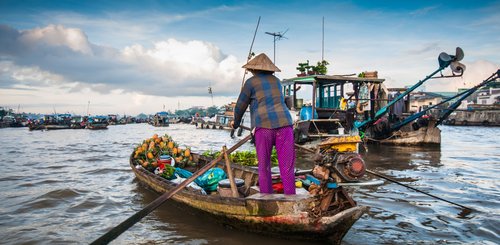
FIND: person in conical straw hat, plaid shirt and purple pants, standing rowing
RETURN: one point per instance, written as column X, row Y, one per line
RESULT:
column 271, row 121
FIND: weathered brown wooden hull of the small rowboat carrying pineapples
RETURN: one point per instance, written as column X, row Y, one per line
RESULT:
column 288, row 216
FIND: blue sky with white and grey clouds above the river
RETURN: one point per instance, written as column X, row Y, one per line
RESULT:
column 131, row 57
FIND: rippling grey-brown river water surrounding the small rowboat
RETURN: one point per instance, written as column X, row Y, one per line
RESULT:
column 71, row 186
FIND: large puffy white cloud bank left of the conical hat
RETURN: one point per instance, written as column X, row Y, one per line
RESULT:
column 56, row 54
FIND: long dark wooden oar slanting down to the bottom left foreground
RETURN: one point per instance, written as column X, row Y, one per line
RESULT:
column 119, row 229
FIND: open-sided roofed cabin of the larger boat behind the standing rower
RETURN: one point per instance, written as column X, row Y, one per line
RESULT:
column 324, row 105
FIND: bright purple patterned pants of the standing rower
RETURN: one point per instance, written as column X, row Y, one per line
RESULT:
column 282, row 139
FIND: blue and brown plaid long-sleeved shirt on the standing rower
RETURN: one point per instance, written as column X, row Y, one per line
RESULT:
column 267, row 104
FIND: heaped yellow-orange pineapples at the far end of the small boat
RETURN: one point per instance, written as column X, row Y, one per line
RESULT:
column 148, row 152
